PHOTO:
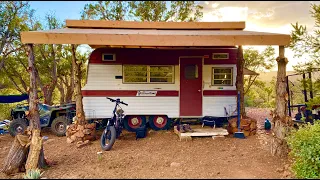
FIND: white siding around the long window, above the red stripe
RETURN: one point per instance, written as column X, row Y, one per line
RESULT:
column 102, row 77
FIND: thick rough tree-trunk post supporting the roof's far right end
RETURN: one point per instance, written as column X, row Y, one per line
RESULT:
column 280, row 120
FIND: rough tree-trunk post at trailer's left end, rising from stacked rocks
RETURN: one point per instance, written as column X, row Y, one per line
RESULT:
column 77, row 90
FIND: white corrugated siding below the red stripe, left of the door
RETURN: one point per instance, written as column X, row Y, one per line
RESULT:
column 100, row 107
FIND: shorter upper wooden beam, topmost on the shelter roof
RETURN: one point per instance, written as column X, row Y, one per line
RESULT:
column 155, row 25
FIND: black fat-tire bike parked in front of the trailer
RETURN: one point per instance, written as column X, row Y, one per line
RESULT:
column 114, row 126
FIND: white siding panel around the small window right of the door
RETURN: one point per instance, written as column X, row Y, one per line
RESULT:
column 207, row 77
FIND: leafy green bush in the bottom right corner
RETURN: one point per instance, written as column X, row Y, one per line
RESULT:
column 305, row 149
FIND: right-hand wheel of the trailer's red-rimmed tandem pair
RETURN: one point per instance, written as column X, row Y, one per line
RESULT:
column 159, row 122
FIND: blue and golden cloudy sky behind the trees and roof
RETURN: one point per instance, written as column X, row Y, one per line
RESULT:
column 263, row 16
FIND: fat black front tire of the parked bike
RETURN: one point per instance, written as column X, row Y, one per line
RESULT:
column 108, row 137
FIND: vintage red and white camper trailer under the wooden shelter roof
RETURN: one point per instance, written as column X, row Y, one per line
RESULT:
column 161, row 83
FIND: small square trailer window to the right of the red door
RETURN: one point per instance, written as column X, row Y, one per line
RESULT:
column 222, row 76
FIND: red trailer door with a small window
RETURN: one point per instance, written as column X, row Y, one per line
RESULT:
column 191, row 86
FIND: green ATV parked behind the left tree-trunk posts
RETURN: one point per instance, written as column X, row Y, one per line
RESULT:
column 55, row 117
